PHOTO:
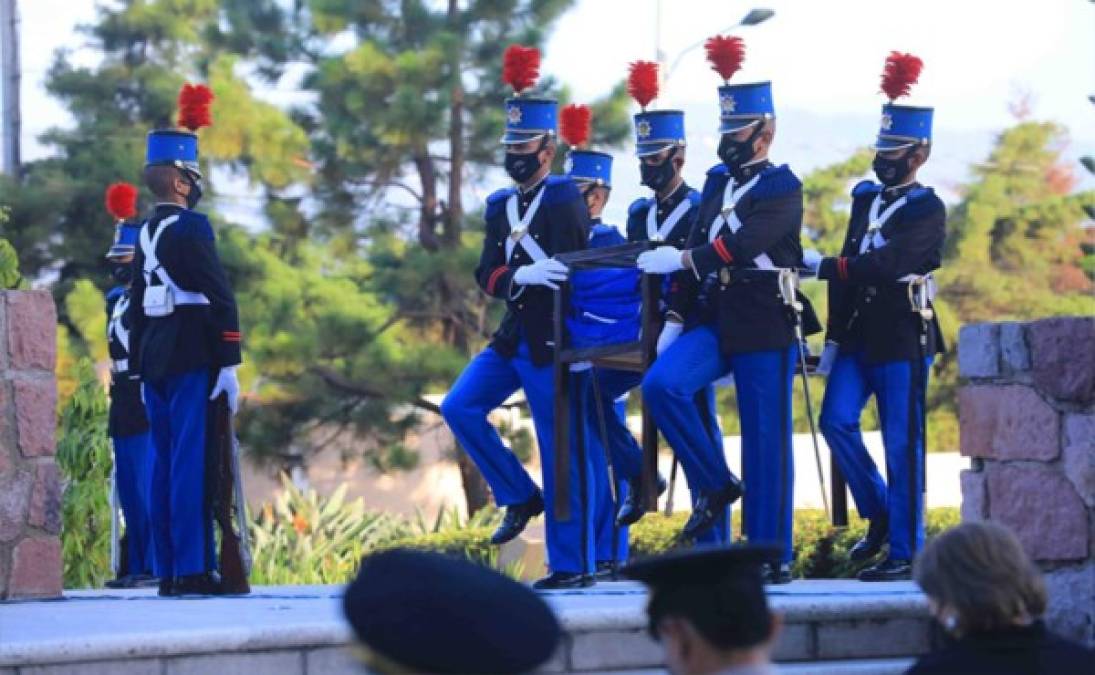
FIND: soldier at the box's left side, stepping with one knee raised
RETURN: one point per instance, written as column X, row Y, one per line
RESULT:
column 526, row 225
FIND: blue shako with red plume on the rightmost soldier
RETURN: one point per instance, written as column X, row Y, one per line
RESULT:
column 903, row 127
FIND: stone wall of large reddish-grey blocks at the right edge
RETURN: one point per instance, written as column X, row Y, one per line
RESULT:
column 1028, row 413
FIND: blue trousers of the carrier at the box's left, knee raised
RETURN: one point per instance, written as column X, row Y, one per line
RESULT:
column 485, row 385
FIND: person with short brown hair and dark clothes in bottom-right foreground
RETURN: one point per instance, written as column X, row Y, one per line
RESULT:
column 989, row 597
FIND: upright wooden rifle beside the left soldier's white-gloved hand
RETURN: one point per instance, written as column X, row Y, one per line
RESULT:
column 226, row 488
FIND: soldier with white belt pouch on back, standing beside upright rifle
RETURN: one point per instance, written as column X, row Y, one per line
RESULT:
column 186, row 339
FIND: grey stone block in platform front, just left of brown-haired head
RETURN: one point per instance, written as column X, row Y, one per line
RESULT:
column 889, row 638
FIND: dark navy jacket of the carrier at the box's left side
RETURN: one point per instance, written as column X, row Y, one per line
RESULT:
column 560, row 225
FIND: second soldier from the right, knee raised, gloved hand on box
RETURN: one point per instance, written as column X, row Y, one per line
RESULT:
column 734, row 318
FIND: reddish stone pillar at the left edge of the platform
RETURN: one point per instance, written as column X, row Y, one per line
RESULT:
column 30, row 483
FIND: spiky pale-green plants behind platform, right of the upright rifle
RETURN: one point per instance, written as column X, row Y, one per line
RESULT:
column 304, row 539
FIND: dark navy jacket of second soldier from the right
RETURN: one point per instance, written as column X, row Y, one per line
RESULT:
column 746, row 305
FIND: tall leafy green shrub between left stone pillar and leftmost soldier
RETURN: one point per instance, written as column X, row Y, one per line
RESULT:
column 84, row 455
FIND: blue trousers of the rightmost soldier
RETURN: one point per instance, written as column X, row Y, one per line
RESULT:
column 901, row 414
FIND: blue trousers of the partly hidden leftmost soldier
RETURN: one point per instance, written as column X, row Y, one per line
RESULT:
column 133, row 474
